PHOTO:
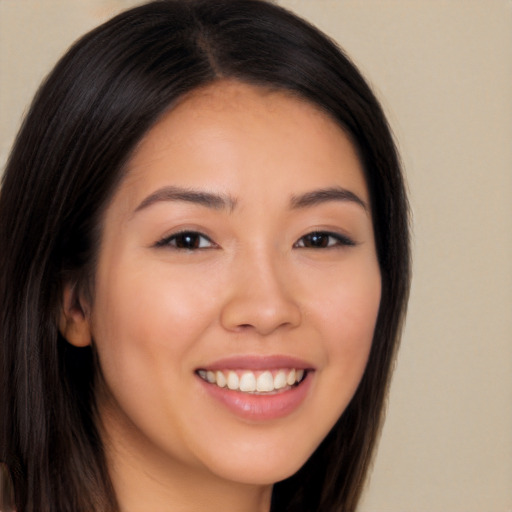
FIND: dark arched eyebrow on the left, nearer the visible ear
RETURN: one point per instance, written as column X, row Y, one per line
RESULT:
column 207, row 199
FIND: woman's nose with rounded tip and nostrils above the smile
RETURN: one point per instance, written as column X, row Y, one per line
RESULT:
column 261, row 298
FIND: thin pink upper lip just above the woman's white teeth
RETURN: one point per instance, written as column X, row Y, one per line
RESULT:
column 257, row 362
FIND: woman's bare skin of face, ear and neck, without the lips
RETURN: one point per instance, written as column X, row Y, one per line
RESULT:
column 256, row 286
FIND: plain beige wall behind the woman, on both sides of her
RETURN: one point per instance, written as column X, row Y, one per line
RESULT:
column 443, row 70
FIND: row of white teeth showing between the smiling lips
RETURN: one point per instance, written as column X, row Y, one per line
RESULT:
column 255, row 382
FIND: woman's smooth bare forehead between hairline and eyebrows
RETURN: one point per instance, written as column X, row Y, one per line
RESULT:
column 235, row 136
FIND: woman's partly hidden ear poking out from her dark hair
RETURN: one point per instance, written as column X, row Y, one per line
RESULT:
column 74, row 321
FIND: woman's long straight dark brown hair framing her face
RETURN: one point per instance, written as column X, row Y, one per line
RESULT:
column 96, row 105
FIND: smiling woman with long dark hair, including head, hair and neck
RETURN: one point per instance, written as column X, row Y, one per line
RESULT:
column 204, row 269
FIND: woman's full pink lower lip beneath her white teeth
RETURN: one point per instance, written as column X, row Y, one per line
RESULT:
column 265, row 407
